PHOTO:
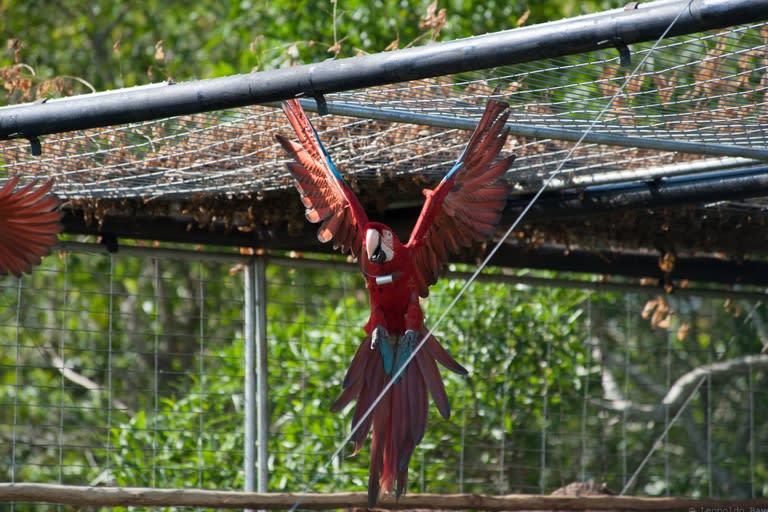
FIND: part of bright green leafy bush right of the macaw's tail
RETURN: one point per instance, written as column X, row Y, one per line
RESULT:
column 522, row 347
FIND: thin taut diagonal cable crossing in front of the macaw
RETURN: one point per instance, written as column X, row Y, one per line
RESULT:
column 473, row 277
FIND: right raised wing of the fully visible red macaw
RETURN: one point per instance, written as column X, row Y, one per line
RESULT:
column 466, row 206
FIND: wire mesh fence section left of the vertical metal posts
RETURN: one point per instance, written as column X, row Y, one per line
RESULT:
column 93, row 350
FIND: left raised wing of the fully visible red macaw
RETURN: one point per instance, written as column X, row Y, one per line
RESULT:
column 325, row 195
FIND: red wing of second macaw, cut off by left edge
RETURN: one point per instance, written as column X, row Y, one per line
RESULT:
column 29, row 225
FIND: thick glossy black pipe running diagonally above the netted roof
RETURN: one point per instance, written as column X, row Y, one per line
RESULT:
column 617, row 28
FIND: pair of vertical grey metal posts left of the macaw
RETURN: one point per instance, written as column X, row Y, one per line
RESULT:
column 256, row 410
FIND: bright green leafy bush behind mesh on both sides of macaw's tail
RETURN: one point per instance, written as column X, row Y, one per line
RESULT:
column 500, row 334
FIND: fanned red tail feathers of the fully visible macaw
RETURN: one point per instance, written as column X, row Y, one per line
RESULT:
column 399, row 419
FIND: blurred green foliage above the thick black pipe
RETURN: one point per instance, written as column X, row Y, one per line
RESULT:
column 112, row 44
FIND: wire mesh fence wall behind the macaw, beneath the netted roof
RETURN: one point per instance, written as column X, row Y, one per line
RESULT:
column 128, row 371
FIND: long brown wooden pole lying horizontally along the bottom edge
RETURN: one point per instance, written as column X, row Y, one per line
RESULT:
column 137, row 496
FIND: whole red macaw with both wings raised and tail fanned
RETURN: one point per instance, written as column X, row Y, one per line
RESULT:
column 464, row 208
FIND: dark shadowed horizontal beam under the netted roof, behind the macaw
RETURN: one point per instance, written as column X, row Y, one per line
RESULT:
column 600, row 261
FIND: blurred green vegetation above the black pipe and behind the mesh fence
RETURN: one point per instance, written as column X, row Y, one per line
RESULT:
column 154, row 347
